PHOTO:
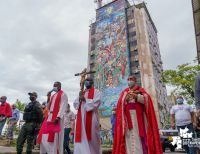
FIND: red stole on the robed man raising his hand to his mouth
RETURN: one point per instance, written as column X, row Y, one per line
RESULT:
column 54, row 116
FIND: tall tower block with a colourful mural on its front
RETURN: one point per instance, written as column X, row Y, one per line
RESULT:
column 123, row 40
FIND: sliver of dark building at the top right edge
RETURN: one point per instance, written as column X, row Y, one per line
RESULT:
column 196, row 14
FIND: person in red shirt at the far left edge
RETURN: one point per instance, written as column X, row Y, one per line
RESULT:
column 5, row 112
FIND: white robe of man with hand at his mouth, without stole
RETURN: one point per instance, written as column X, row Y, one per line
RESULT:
column 53, row 147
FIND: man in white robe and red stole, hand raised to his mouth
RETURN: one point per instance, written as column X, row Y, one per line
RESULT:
column 52, row 143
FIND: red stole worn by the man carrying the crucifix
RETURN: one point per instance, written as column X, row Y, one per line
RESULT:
column 88, row 125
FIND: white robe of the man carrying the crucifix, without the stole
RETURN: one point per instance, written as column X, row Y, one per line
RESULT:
column 85, row 146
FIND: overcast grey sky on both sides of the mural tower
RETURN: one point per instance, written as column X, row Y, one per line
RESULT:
column 46, row 41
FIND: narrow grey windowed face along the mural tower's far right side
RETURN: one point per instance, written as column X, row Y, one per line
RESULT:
column 161, row 92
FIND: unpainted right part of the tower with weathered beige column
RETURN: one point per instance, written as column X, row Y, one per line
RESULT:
column 145, row 57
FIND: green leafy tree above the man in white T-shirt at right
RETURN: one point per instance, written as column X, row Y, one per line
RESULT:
column 182, row 79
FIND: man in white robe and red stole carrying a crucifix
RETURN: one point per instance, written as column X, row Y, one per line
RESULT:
column 87, row 137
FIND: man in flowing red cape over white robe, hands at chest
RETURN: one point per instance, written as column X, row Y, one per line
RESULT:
column 136, row 128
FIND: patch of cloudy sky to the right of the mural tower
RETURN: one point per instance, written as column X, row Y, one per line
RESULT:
column 174, row 21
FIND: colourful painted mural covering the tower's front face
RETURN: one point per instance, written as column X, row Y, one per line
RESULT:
column 111, row 54
